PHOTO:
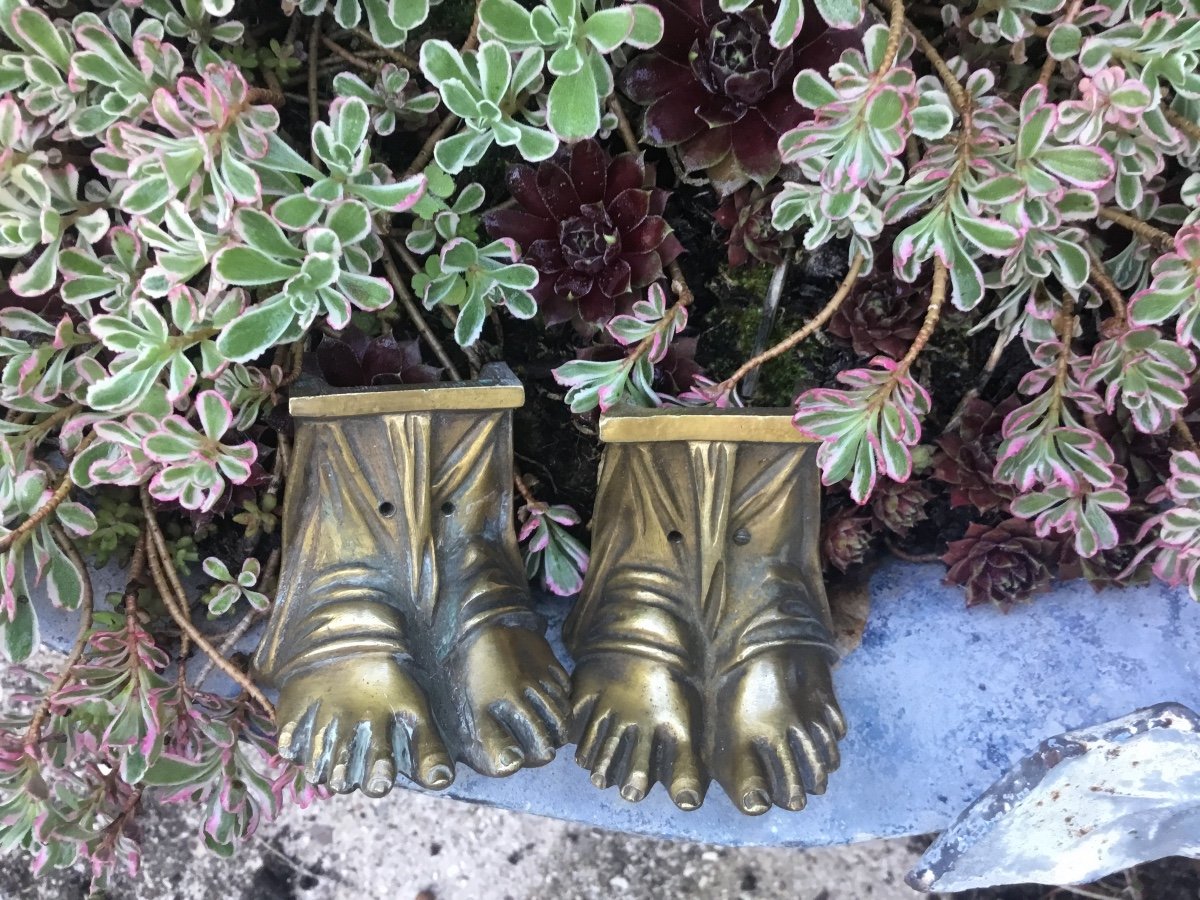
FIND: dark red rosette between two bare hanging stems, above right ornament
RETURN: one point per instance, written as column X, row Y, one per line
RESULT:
column 884, row 315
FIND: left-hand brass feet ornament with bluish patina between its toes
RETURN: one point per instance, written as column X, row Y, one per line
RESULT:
column 404, row 638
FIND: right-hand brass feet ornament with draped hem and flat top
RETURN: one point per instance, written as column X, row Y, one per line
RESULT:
column 703, row 638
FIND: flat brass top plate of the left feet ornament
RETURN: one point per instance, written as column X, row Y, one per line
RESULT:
column 497, row 388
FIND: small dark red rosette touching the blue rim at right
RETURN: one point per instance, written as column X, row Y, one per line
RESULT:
column 1004, row 565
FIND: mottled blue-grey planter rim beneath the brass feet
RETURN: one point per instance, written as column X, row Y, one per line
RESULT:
column 940, row 701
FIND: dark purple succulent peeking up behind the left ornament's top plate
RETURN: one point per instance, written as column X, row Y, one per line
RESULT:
column 352, row 359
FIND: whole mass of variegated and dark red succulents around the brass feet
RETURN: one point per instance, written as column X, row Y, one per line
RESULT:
column 981, row 224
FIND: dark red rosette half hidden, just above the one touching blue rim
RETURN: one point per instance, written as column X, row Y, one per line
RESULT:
column 968, row 458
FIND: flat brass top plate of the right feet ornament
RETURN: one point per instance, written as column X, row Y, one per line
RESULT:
column 625, row 425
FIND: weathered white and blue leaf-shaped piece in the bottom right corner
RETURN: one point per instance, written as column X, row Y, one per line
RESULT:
column 1083, row 806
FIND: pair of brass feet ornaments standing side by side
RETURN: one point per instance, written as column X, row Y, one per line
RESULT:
column 404, row 639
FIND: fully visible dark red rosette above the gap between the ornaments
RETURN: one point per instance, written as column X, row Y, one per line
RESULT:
column 593, row 229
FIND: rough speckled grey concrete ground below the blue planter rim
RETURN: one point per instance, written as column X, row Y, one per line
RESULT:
column 416, row 848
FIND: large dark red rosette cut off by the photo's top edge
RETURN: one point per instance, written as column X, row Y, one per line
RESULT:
column 717, row 89
